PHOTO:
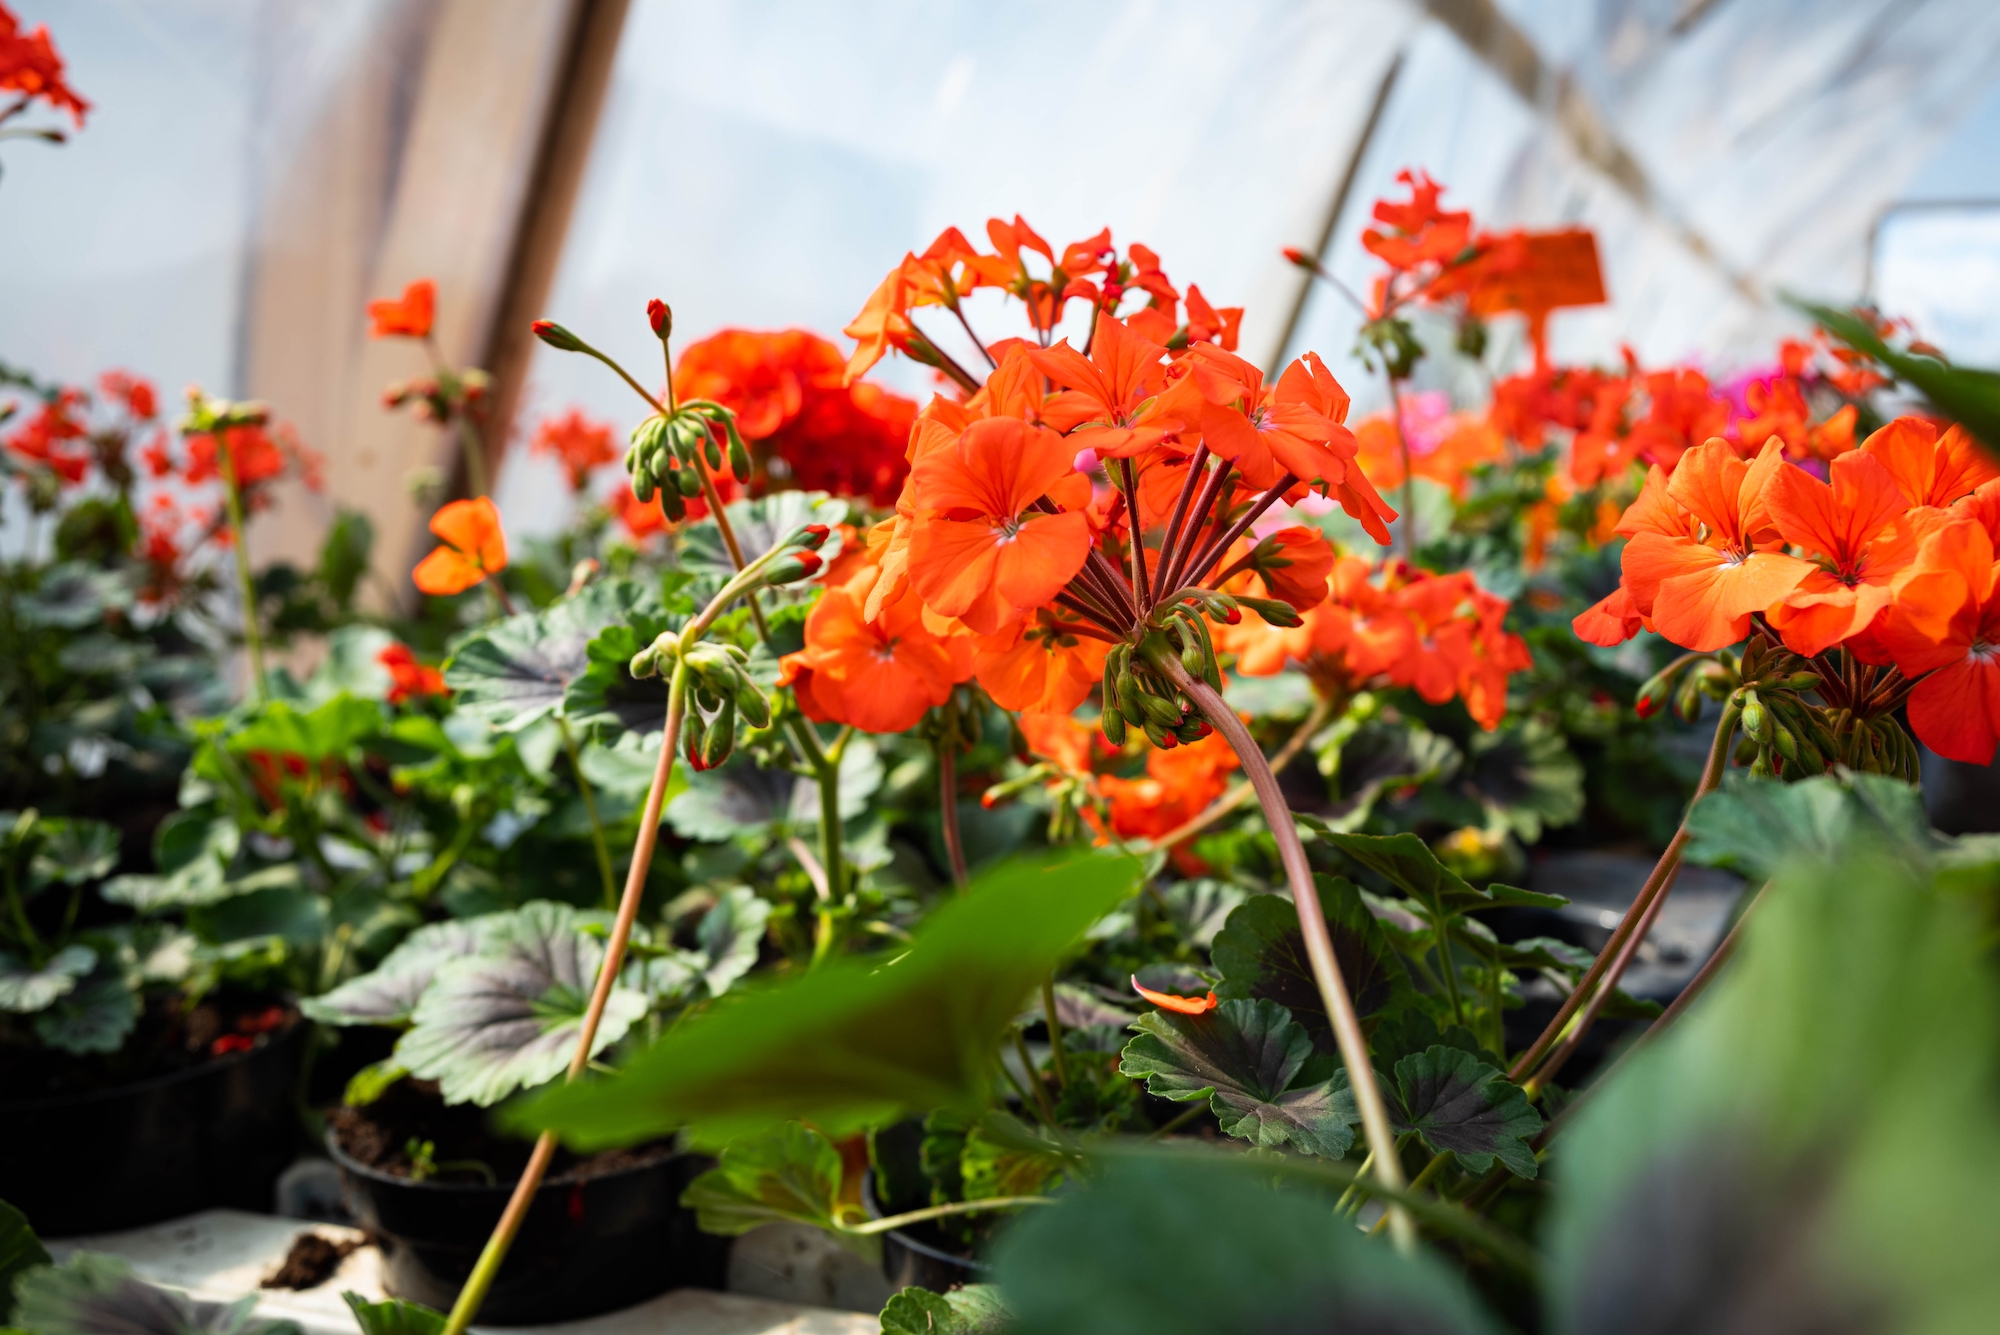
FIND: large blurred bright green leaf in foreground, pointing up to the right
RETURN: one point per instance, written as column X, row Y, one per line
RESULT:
column 857, row 1042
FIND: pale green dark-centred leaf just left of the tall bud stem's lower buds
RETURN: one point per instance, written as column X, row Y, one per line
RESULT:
column 517, row 672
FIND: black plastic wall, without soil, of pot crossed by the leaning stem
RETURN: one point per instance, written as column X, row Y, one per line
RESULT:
column 591, row 1244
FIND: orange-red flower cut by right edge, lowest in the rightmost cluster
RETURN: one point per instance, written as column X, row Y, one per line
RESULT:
column 1947, row 625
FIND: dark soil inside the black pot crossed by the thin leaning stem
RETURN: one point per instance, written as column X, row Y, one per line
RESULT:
column 461, row 1136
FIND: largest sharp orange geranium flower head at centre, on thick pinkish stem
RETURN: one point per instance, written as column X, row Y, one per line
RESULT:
column 1073, row 501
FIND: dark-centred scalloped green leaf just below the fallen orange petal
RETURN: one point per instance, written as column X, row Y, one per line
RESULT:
column 1243, row 1058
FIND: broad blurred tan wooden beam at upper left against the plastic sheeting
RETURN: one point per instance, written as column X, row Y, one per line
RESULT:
column 429, row 177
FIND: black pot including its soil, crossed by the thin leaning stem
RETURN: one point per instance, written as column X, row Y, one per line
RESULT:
column 605, row 1232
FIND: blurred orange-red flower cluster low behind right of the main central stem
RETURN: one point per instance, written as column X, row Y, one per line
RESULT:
column 1387, row 627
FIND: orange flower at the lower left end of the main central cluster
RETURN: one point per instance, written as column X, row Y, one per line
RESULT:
column 879, row 676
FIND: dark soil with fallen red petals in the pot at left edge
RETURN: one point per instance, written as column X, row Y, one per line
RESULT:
column 169, row 1038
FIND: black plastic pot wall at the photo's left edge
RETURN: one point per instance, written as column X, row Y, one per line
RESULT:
column 211, row 1136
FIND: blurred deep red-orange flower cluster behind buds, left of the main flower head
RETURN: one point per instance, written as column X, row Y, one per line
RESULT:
column 809, row 429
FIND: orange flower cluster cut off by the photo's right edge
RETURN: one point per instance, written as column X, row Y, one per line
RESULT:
column 1889, row 561
